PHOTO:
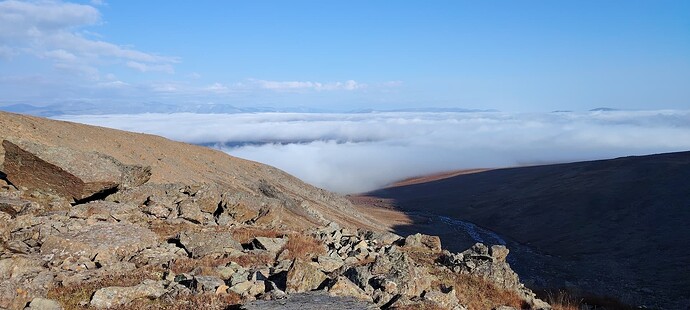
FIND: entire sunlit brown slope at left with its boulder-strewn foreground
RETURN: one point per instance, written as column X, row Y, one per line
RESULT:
column 86, row 227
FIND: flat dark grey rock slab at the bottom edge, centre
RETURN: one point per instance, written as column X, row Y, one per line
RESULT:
column 310, row 301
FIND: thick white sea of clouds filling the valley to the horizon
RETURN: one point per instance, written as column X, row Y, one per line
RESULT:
column 358, row 152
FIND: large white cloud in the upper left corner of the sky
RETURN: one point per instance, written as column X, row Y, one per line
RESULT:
column 50, row 29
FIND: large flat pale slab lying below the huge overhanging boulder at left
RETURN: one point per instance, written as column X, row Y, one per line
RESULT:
column 101, row 242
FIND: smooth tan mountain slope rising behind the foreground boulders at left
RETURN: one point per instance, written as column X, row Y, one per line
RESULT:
column 176, row 162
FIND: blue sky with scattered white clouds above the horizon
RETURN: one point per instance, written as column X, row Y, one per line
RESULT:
column 506, row 55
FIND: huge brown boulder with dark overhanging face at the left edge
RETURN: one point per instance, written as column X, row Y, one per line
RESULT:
column 67, row 172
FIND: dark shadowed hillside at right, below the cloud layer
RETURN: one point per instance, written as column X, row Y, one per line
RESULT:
column 613, row 227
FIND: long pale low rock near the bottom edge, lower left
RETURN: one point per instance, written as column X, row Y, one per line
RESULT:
column 118, row 296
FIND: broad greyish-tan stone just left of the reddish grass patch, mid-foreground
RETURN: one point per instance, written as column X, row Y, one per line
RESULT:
column 200, row 244
